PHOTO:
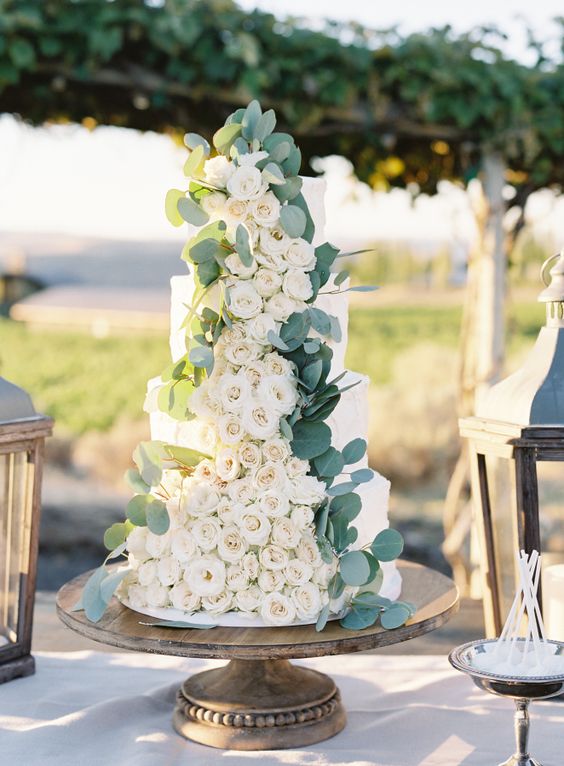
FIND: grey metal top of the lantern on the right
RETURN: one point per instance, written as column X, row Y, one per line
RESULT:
column 534, row 395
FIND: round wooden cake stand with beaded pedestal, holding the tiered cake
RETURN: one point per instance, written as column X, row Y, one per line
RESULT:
column 259, row 700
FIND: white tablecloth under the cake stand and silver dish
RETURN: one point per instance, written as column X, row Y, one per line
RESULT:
column 92, row 709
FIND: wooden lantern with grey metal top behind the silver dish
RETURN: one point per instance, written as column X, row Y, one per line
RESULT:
column 519, row 424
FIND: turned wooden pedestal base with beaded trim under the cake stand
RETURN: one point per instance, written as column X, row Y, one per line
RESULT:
column 259, row 705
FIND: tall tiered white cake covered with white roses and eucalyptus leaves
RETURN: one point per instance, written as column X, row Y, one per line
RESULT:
column 244, row 512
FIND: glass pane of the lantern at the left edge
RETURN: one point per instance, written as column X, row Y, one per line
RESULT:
column 16, row 487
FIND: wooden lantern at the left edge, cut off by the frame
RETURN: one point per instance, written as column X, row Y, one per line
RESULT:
column 22, row 438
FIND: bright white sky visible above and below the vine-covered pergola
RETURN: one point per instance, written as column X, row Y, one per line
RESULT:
column 111, row 182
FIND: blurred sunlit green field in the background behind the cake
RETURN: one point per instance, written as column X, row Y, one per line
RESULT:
column 86, row 383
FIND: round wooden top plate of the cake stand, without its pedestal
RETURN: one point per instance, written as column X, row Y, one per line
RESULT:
column 434, row 595
